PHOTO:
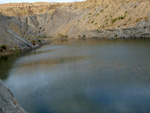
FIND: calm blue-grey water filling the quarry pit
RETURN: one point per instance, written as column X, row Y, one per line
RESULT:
column 81, row 77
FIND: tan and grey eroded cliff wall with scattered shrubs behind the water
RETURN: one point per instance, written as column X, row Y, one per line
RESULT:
column 20, row 24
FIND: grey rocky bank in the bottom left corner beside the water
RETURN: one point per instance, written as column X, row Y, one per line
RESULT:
column 8, row 104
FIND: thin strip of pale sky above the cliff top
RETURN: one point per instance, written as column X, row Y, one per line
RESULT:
column 19, row 1
